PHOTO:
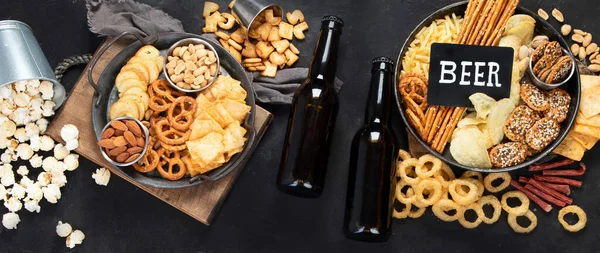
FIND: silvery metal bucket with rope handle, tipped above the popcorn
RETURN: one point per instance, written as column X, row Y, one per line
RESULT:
column 21, row 58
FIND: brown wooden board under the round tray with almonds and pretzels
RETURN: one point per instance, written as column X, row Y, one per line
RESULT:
column 201, row 202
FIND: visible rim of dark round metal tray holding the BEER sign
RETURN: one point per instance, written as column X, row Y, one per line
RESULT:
column 541, row 27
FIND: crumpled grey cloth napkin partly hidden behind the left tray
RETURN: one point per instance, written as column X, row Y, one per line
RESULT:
column 113, row 17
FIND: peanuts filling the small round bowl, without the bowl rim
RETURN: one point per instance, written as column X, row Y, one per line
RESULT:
column 192, row 67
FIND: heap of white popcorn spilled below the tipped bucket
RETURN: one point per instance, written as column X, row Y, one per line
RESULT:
column 24, row 107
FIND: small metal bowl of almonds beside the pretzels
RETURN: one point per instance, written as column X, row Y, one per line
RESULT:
column 124, row 141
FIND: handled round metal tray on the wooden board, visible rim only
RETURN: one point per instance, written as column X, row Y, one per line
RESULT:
column 106, row 94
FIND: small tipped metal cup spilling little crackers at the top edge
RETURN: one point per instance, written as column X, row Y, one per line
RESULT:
column 246, row 11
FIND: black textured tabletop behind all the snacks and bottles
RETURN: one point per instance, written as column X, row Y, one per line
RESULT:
column 256, row 217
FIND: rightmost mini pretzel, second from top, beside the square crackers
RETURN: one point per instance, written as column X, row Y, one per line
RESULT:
column 181, row 113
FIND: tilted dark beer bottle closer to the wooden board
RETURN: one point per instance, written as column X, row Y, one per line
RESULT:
column 312, row 118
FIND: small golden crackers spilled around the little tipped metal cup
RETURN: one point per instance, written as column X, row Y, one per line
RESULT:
column 270, row 38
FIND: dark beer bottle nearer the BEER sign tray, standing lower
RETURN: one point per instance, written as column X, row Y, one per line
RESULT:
column 371, row 178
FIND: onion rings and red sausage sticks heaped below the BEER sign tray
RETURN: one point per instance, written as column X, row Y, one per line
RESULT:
column 428, row 182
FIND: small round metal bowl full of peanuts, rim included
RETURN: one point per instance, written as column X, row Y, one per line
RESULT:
column 192, row 65
